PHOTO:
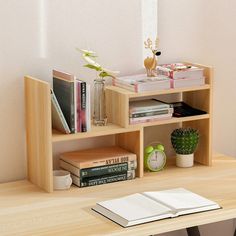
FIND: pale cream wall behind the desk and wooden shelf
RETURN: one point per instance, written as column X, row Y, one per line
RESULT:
column 39, row 35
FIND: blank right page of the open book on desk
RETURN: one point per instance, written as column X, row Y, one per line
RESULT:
column 180, row 199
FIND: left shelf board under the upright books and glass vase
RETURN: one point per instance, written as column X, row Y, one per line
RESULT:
column 96, row 131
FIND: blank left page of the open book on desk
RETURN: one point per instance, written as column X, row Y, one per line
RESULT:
column 135, row 207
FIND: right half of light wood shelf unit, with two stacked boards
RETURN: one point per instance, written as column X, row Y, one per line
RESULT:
column 199, row 97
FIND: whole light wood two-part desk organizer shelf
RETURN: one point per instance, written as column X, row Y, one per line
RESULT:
column 40, row 136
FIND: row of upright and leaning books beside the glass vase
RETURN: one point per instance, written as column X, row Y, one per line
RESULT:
column 70, row 103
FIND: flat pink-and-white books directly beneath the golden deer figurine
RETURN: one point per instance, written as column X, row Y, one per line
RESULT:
column 142, row 83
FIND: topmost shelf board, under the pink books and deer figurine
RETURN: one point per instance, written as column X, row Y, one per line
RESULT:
column 155, row 93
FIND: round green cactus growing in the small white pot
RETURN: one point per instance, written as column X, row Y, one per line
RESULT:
column 185, row 140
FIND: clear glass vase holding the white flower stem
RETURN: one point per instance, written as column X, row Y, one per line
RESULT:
column 99, row 115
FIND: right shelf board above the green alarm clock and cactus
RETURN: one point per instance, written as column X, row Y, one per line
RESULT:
column 173, row 120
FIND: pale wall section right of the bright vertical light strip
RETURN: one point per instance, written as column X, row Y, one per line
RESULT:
column 203, row 31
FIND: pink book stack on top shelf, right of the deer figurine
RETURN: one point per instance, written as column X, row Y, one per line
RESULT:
column 182, row 75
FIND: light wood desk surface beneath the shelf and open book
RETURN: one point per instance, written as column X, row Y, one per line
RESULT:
column 26, row 210
